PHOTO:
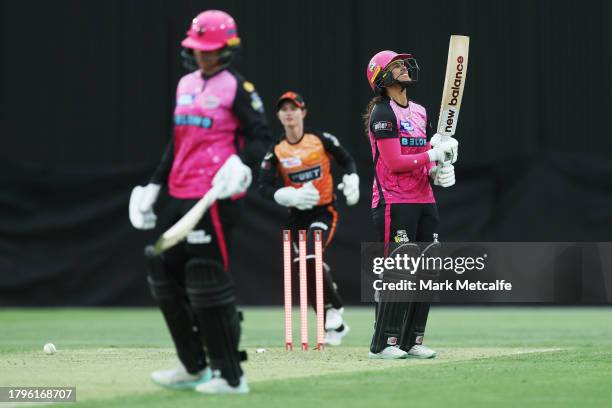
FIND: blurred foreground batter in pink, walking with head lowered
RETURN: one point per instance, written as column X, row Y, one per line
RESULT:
column 219, row 131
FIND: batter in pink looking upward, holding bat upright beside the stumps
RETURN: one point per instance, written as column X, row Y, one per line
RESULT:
column 403, row 203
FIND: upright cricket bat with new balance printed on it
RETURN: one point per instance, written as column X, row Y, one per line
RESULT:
column 454, row 84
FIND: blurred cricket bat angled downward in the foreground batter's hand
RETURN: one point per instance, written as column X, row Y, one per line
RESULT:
column 187, row 223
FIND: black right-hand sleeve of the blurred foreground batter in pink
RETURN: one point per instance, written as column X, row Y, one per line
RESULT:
column 249, row 110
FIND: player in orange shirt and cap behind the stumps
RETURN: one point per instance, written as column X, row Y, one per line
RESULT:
column 301, row 160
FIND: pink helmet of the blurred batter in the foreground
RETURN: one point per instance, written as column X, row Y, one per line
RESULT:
column 212, row 30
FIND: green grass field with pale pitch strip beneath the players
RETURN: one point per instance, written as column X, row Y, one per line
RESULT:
column 488, row 357
